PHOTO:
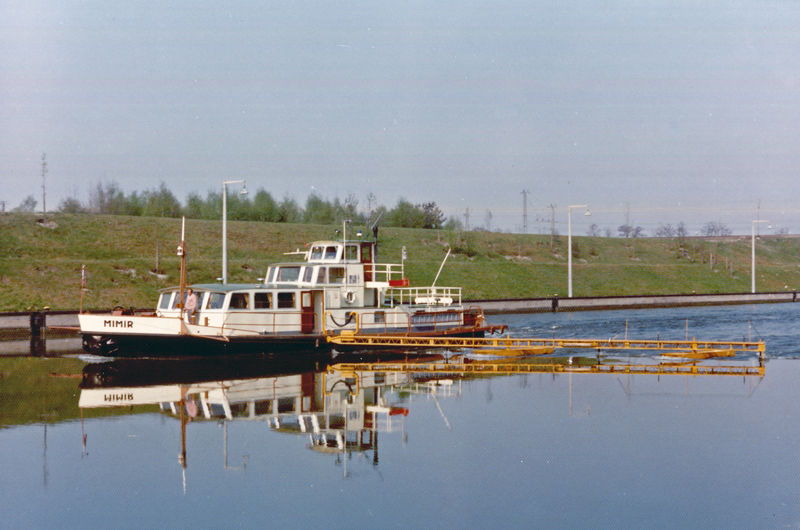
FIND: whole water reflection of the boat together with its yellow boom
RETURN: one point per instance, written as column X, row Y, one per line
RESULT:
column 338, row 409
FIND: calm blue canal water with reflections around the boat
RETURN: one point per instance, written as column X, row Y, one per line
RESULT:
column 268, row 443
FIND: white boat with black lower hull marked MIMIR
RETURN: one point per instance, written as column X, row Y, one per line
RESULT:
column 337, row 287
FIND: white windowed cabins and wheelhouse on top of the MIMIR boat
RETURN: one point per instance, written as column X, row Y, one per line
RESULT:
column 336, row 280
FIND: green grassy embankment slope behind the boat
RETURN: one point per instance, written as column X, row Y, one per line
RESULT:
column 41, row 266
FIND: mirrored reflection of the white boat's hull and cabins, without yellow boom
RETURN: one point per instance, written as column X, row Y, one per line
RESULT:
column 337, row 411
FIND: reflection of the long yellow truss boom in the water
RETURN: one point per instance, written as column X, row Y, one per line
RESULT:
column 504, row 368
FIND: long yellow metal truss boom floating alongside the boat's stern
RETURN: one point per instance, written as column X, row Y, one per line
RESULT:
column 538, row 346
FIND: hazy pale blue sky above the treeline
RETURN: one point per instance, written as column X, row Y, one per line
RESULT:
column 648, row 112
